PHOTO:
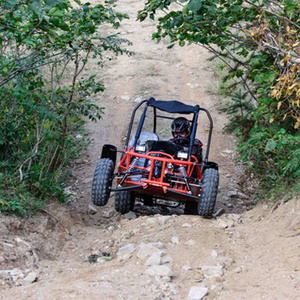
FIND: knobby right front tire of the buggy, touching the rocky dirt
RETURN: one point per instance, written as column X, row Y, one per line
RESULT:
column 208, row 195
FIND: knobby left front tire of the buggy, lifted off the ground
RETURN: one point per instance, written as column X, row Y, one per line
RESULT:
column 102, row 181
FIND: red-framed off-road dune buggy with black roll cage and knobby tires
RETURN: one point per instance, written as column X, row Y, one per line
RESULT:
column 153, row 169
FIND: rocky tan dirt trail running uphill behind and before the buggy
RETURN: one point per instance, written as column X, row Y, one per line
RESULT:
column 243, row 254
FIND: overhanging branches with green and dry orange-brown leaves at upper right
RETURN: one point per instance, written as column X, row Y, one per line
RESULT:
column 260, row 37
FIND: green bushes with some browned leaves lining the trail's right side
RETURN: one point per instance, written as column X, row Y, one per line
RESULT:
column 259, row 45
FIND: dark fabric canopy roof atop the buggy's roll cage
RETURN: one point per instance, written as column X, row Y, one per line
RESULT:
column 173, row 106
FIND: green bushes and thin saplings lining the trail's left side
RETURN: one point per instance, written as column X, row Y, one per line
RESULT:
column 45, row 46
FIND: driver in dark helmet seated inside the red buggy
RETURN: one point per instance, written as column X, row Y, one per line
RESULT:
column 181, row 131
